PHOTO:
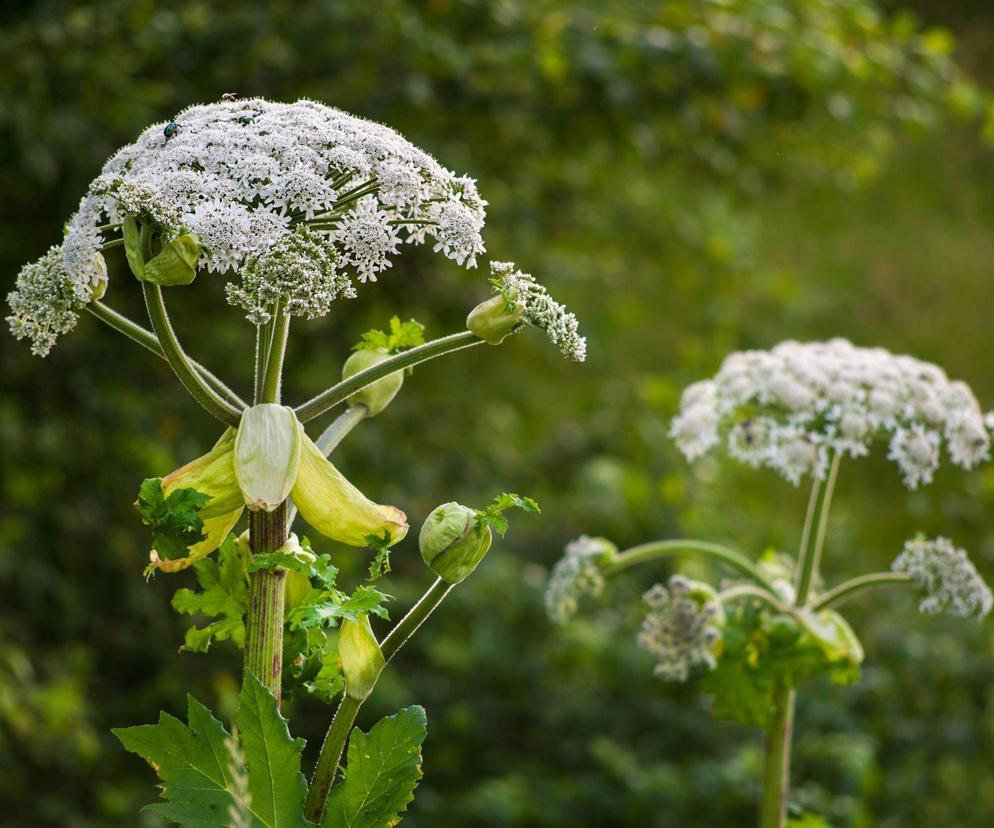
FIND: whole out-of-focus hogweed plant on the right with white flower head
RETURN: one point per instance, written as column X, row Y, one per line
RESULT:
column 799, row 409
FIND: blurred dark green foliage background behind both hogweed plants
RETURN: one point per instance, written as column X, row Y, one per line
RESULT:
column 692, row 177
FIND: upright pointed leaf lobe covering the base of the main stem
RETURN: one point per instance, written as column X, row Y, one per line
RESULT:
column 276, row 785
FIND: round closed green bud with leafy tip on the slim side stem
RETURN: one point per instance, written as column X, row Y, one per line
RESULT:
column 450, row 542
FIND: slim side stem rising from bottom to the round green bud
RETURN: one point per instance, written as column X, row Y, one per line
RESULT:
column 338, row 733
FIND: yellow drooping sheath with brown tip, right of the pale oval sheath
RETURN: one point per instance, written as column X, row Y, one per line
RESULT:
column 336, row 508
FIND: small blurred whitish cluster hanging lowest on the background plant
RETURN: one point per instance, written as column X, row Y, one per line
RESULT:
column 682, row 627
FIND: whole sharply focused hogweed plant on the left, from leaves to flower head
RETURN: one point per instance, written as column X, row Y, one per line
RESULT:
column 297, row 205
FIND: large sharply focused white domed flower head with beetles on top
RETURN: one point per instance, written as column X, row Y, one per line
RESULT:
column 243, row 174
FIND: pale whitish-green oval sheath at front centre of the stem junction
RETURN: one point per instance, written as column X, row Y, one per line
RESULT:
column 267, row 455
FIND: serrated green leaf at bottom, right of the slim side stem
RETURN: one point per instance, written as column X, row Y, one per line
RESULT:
column 384, row 768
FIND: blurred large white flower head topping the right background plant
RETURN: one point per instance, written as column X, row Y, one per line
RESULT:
column 792, row 407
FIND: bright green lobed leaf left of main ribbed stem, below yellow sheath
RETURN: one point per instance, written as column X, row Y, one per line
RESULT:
column 223, row 595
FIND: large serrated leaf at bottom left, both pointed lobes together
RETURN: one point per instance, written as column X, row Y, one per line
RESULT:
column 197, row 778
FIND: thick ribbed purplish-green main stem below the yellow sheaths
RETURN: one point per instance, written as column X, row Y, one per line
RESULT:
column 264, row 624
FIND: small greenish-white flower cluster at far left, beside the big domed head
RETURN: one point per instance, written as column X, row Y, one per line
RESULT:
column 48, row 298
